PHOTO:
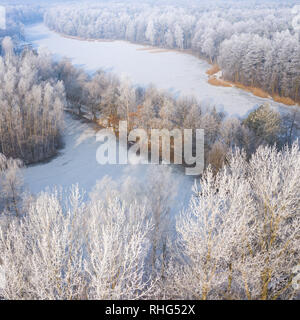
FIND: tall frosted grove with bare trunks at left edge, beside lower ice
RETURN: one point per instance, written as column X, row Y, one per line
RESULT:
column 31, row 103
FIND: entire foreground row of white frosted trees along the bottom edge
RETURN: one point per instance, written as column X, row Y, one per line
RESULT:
column 238, row 239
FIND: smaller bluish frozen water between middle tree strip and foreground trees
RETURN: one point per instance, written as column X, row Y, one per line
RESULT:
column 77, row 164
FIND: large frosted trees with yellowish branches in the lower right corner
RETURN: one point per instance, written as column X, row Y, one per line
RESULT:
column 239, row 239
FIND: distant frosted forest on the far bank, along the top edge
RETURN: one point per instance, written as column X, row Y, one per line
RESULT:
column 255, row 45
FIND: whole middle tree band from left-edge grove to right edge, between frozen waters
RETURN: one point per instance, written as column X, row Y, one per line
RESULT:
column 35, row 90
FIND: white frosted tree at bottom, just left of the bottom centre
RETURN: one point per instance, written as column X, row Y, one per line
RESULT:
column 118, row 244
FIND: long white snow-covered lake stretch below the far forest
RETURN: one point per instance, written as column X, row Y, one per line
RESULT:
column 178, row 72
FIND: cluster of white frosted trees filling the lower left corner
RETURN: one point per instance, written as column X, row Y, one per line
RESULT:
column 78, row 251
